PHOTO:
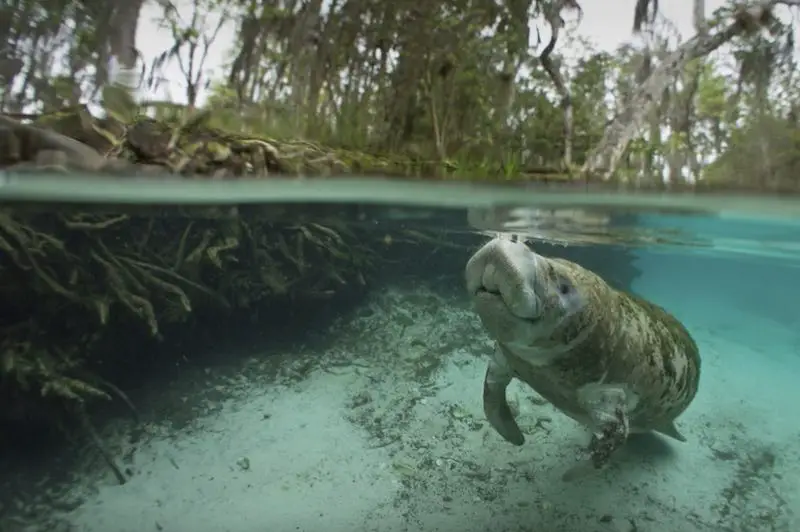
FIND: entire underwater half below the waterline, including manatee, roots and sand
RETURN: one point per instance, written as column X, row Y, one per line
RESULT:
column 243, row 364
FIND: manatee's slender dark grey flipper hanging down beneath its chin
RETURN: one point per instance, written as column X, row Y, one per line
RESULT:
column 495, row 404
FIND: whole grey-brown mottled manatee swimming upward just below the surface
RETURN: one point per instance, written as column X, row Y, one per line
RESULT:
column 614, row 362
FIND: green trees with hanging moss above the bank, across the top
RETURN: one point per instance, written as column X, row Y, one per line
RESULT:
column 480, row 86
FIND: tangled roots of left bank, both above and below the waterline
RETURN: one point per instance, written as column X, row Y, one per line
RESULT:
column 70, row 278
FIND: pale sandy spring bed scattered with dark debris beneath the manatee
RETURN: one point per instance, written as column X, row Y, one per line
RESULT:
column 383, row 429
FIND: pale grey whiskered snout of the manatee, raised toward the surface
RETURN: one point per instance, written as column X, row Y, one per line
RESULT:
column 501, row 278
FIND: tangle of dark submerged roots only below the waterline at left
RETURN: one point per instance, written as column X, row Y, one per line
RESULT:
column 87, row 269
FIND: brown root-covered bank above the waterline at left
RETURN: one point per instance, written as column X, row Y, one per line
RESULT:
column 188, row 146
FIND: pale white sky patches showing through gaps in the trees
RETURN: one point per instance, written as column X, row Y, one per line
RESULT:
column 606, row 23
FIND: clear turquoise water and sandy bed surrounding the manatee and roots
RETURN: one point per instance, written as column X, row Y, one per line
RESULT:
column 363, row 412
